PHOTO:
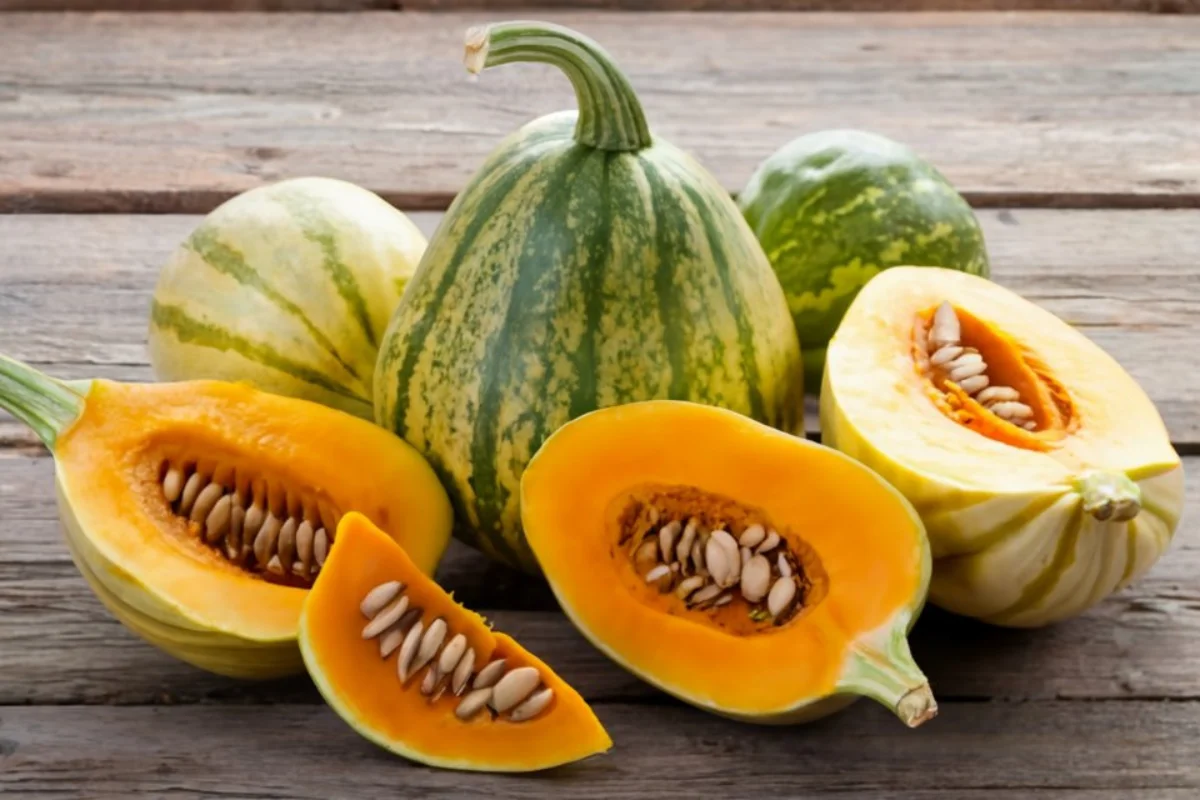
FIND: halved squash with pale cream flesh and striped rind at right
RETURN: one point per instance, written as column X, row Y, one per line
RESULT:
column 1043, row 473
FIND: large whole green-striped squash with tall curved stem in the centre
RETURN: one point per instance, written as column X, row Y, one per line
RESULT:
column 587, row 264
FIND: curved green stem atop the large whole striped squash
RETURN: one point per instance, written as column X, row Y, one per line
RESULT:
column 610, row 115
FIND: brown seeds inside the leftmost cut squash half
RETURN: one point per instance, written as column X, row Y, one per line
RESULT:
column 286, row 544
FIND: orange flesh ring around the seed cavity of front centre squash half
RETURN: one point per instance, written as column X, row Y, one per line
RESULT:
column 866, row 538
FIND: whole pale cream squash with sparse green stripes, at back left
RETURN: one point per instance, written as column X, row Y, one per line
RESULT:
column 289, row 287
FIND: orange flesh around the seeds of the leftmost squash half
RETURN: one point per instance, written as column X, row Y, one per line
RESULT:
column 110, row 466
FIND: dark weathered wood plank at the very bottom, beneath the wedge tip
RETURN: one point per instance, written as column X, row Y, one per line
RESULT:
column 974, row 751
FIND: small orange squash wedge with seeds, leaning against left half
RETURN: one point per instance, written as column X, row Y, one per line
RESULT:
column 417, row 673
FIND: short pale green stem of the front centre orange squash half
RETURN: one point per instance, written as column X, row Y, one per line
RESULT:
column 881, row 667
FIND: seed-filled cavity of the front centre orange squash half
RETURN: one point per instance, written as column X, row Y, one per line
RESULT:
column 710, row 558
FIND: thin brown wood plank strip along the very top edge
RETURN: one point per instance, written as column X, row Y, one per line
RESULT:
column 1151, row 7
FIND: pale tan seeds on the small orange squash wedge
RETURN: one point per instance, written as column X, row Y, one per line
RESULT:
column 449, row 661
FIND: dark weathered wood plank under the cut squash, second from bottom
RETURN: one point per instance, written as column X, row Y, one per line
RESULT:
column 59, row 646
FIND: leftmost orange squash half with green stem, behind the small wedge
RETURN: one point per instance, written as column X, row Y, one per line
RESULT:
column 201, row 513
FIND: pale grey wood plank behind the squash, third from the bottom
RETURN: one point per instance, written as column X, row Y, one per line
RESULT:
column 76, row 291
